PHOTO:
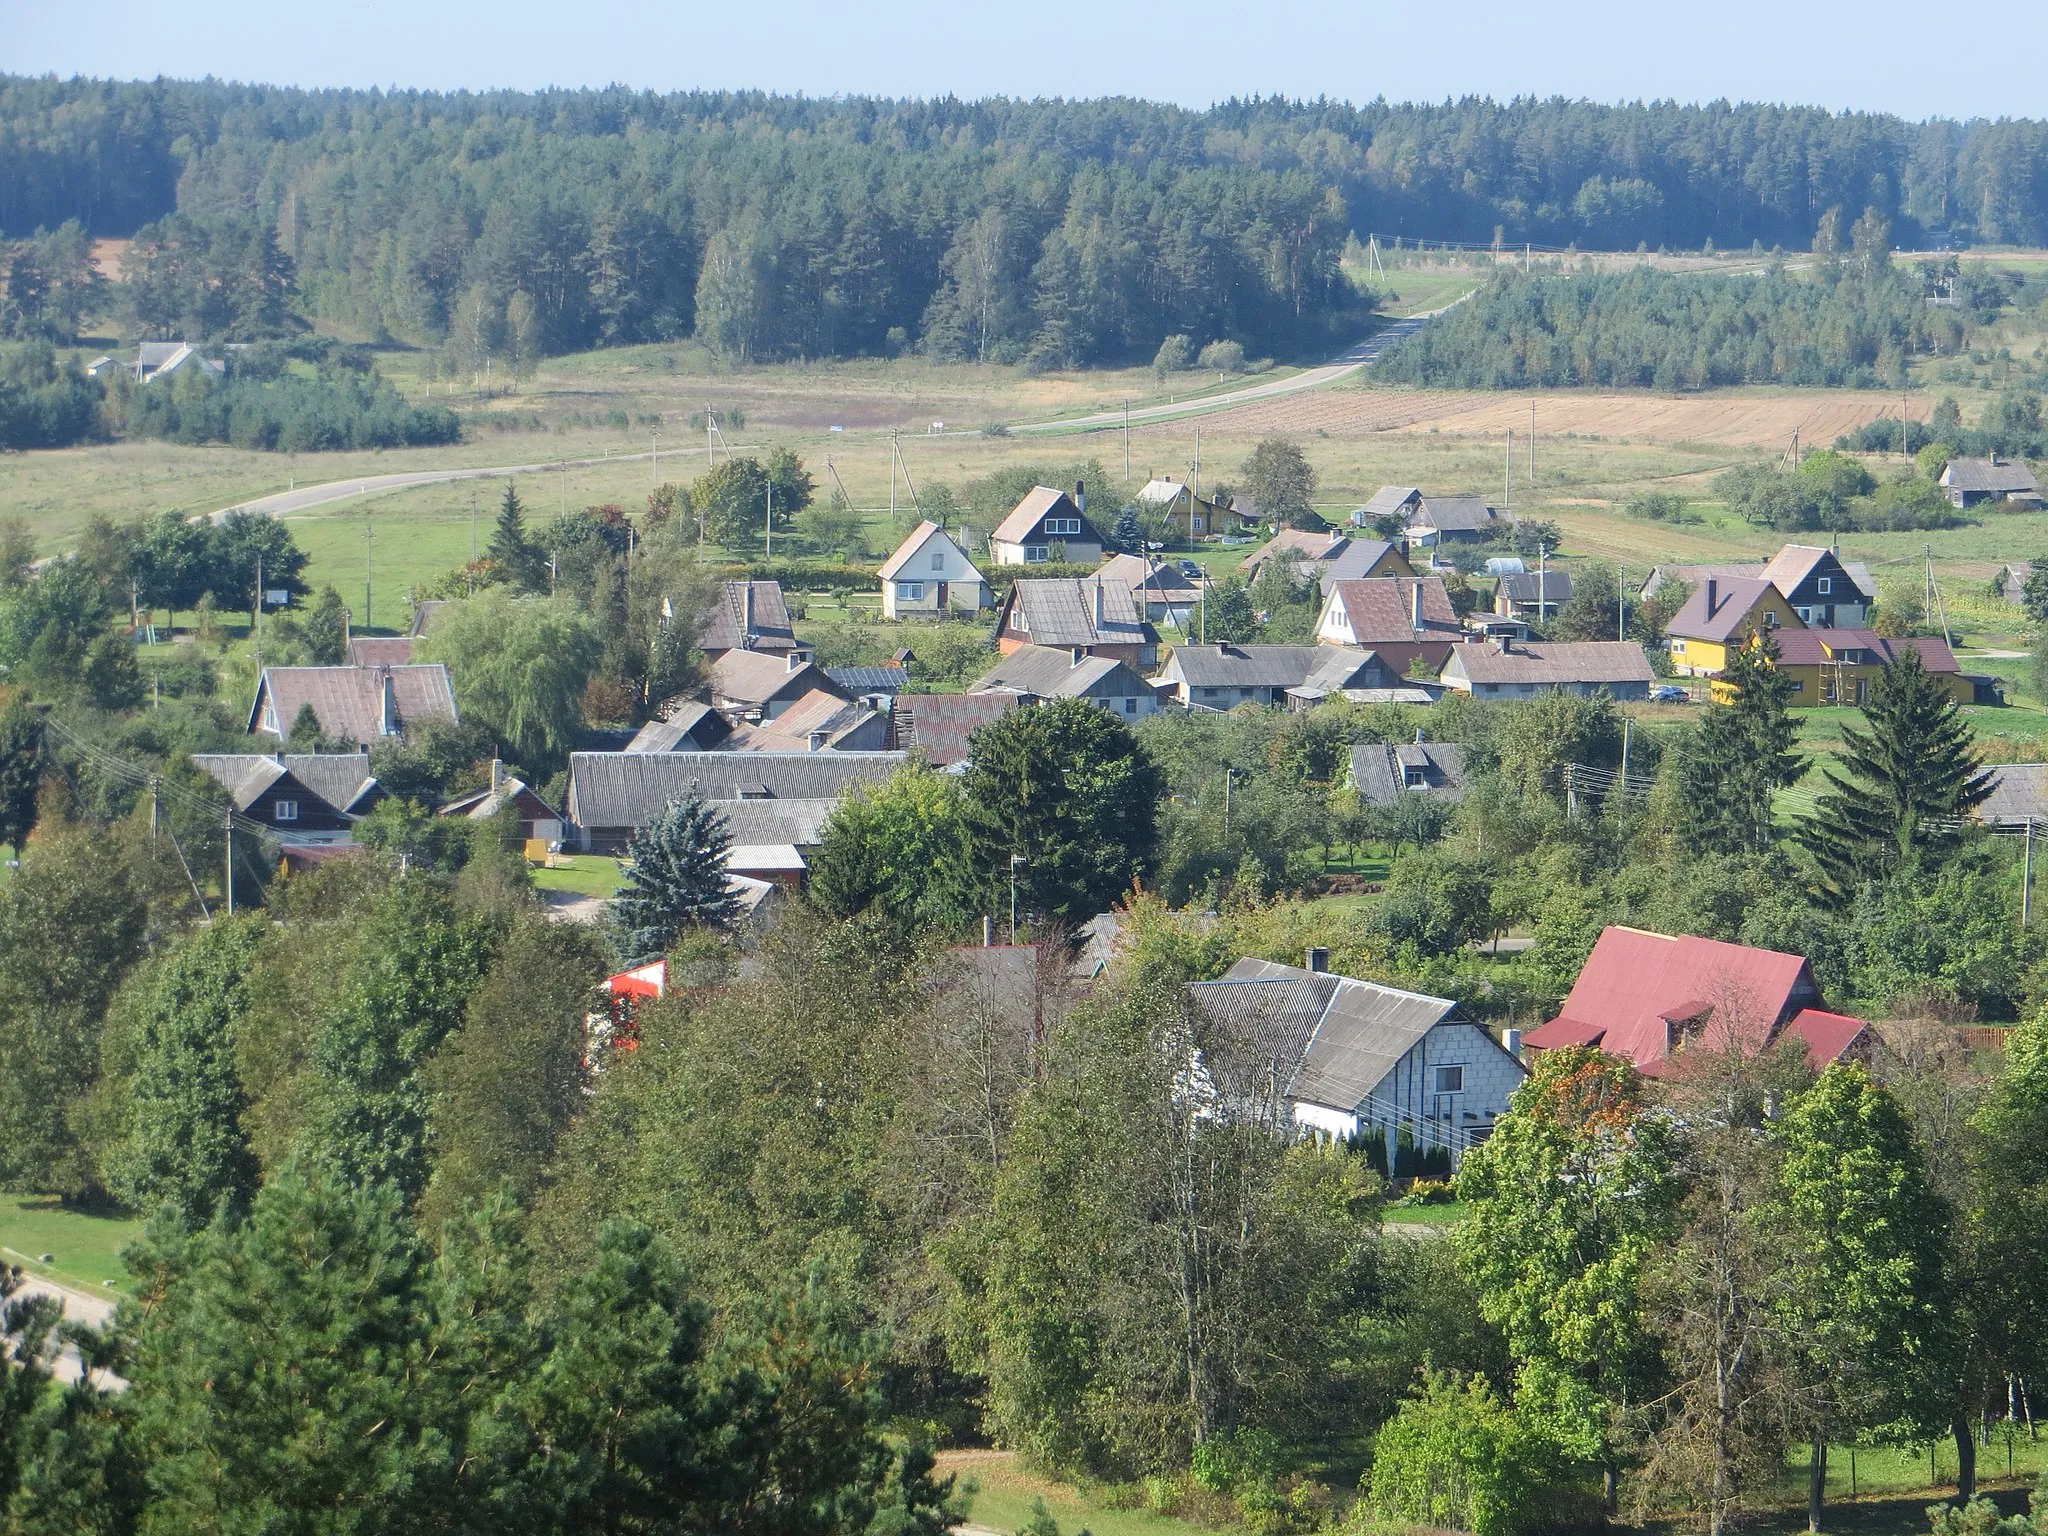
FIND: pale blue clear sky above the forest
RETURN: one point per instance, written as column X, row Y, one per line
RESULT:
column 1885, row 56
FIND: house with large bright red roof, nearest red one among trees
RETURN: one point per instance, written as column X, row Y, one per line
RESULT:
column 1648, row 998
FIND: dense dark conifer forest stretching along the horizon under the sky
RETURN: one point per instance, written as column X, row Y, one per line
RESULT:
column 501, row 226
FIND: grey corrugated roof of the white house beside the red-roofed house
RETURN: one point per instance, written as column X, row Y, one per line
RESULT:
column 1332, row 1037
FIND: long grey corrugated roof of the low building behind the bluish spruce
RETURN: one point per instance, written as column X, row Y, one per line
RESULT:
column 628, row 790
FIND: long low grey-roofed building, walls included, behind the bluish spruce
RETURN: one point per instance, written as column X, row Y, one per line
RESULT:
column 765, row 798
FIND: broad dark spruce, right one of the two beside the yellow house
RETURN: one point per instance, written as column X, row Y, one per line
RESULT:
column 1910, row 781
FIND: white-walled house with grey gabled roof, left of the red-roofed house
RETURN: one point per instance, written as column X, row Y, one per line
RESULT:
column 1357, row 1060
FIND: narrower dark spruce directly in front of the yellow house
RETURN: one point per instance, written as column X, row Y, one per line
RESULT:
column 1742, row 757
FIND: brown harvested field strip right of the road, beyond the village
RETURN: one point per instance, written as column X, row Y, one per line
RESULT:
column 1721, row 419
